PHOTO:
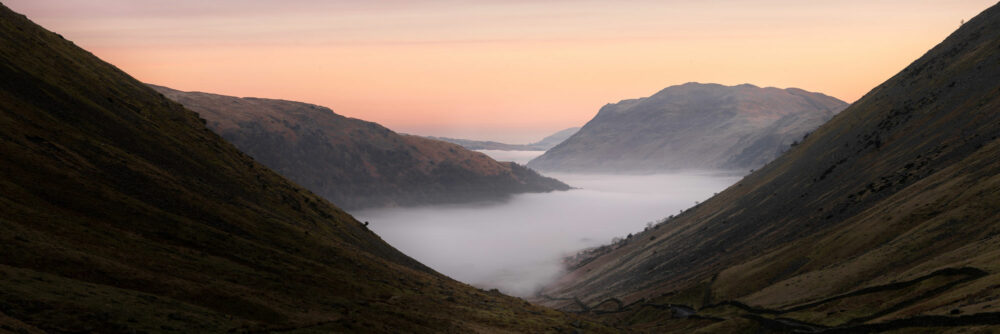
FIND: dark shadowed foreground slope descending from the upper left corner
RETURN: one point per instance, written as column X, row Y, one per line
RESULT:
column 121, row 212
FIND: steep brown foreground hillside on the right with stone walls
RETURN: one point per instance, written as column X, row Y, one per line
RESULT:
column 885, row 218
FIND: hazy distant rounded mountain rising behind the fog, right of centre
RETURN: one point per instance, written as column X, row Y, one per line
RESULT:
column 692, row 126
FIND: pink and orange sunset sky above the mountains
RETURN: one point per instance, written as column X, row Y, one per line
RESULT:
column 506, row 70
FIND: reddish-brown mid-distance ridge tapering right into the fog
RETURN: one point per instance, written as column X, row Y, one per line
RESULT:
column 354, row 163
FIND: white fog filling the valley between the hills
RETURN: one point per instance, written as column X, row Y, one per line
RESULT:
column 517, row 246
